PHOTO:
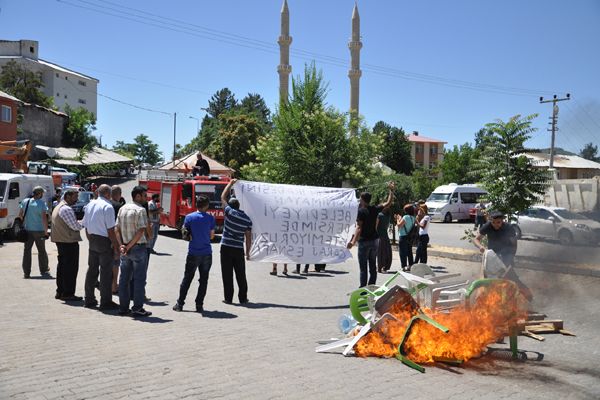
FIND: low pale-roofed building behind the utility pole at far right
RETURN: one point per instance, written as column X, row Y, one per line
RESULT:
column 567, row 166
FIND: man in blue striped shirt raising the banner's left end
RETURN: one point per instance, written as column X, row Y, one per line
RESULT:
column 237, row 228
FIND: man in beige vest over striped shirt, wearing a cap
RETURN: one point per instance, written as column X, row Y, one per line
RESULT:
column 65, row 233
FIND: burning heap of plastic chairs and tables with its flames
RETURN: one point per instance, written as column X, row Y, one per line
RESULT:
column 394, row 324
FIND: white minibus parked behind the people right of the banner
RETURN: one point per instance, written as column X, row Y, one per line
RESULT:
column 452, row 202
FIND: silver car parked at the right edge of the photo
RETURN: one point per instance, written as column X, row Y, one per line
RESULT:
column 557, row 223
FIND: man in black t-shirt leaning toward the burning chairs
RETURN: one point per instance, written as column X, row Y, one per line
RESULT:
column 503, row 241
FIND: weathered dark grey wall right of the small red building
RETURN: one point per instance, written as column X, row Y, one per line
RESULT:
column 42, row 126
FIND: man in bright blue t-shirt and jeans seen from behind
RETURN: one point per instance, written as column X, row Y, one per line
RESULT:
column 201, row 227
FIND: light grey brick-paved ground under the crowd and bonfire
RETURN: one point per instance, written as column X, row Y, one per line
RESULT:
column 51, row 350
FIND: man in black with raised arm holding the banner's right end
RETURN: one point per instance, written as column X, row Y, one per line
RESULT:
column 366, row 235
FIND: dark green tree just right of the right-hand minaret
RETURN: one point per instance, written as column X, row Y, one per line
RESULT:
column 395, row 152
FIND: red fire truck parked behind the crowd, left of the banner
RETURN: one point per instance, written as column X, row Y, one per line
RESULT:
column 178, row 193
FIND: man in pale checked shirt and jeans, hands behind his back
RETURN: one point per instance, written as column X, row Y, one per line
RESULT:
column 132, row 221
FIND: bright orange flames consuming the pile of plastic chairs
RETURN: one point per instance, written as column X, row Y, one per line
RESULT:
column 471, row 328
